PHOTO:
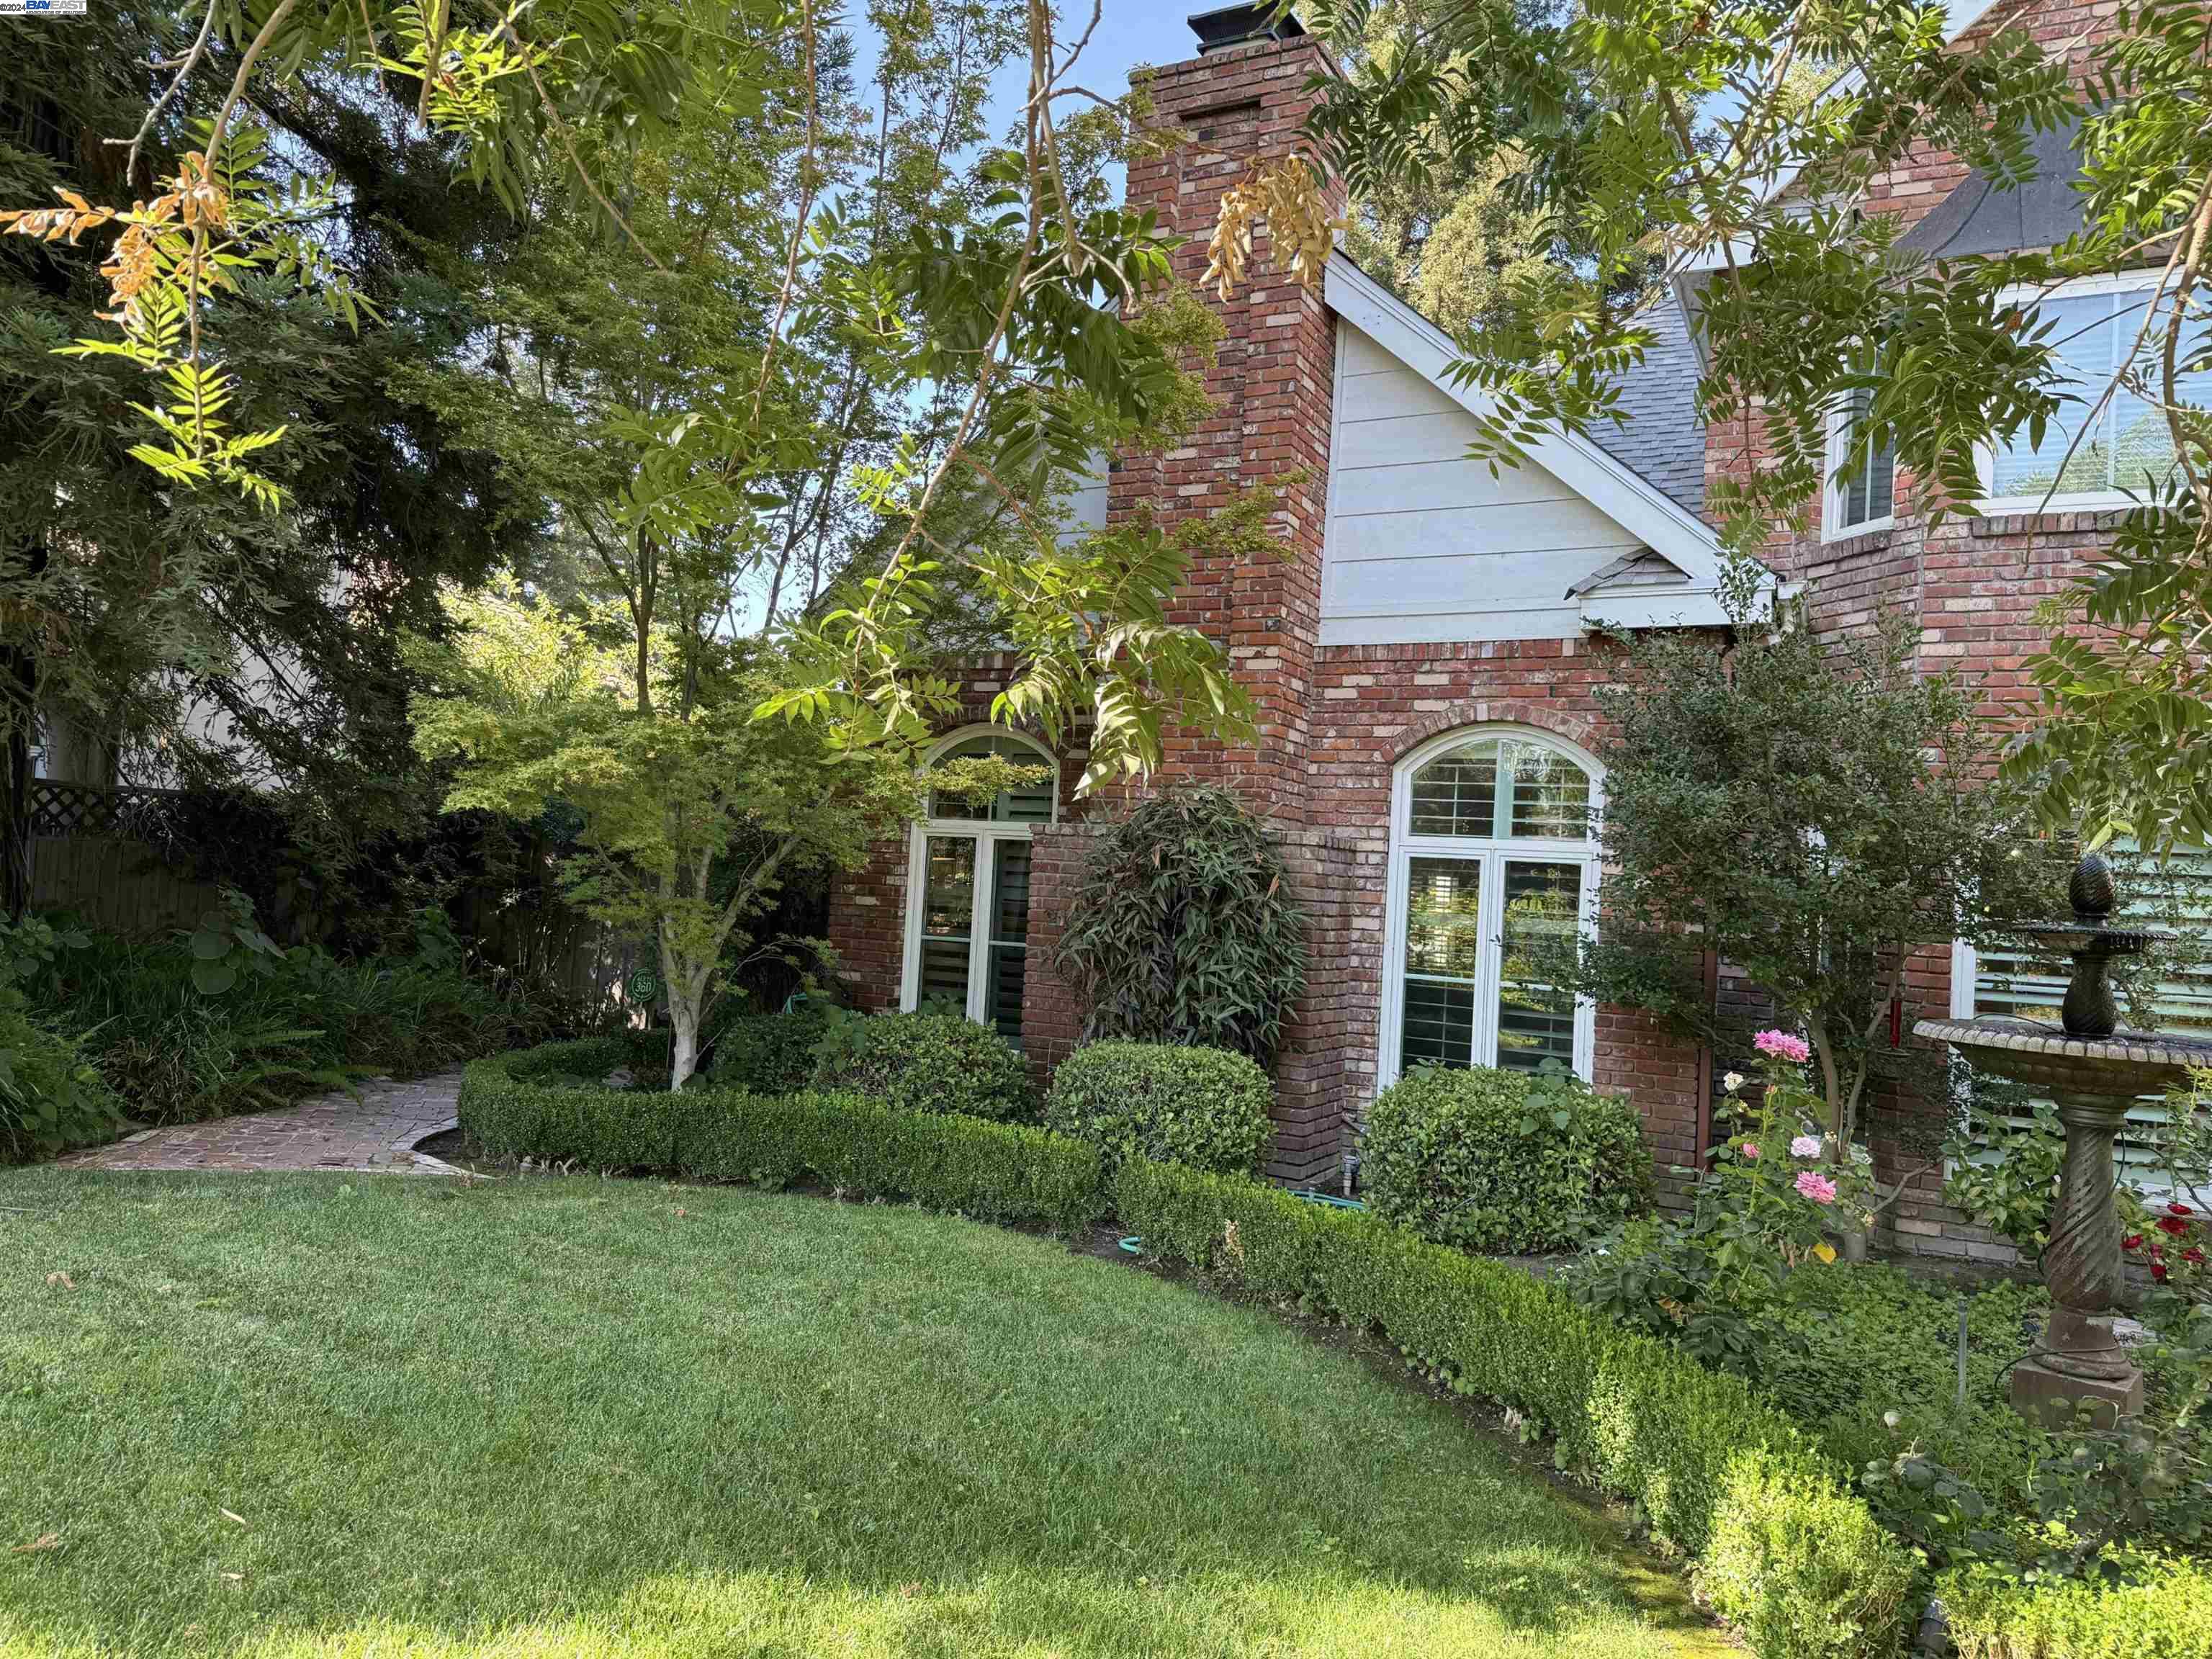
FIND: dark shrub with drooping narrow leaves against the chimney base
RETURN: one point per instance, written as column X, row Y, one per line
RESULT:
column 1185, row 928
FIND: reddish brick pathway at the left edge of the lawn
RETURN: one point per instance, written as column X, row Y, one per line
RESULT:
column 375, row 1131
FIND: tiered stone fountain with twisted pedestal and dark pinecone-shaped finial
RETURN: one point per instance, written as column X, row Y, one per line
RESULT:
column 2094, row 1072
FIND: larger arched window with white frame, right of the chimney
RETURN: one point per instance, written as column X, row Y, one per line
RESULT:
column 1492, row 884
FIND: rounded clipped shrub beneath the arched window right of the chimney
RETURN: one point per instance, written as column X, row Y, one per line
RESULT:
column 1503, row 1160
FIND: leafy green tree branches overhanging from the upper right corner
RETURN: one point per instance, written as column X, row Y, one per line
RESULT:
column 1669, row 127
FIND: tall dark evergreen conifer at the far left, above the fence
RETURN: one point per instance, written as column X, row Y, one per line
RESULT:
column 185, row 636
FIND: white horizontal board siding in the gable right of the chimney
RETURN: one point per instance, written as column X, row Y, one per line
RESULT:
column 1423, row 545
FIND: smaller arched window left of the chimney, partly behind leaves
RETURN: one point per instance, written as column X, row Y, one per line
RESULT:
column 968, row 886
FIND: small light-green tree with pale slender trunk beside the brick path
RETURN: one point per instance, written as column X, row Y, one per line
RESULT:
column 689, row 824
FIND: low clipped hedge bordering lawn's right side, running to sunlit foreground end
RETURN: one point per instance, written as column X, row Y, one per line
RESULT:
column 1782, row 1550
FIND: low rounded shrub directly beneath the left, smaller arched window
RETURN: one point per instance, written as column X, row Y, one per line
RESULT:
column 926, row 1063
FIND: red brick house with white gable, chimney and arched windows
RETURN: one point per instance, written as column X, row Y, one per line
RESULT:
column 1426, row 660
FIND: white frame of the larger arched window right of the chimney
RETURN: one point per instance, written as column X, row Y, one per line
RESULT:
column 1494, row 853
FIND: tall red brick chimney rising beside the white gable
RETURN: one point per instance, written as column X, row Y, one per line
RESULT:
column 1242, row 101
